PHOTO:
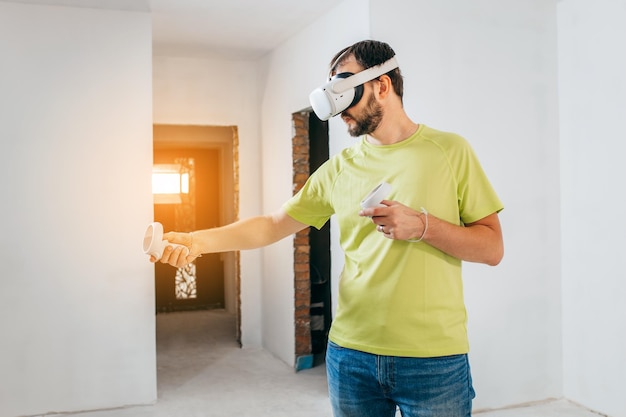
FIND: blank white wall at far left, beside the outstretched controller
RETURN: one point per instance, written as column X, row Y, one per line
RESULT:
column 76, row 291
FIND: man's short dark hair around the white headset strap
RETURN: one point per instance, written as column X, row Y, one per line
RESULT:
column 368, row 54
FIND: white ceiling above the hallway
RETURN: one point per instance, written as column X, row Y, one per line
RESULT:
column 234, row 29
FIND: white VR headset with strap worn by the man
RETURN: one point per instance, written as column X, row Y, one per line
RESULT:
column 345, row 89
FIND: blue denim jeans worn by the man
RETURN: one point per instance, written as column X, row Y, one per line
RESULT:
column 365, row 385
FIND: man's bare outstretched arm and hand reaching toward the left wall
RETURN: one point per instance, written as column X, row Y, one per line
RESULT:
column 251, row 233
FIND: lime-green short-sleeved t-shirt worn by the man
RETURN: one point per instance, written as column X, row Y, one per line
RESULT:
column 399, row 298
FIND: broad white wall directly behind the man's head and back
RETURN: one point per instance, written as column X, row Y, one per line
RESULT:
column 487, row 70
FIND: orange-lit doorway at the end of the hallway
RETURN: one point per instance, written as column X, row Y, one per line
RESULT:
column 207, row 156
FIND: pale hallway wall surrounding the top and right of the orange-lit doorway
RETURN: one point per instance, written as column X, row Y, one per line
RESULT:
column 221, row 93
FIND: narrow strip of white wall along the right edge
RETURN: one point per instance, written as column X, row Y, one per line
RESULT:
column 593, row 105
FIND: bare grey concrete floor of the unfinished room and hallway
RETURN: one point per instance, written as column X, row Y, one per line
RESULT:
column 203, row 373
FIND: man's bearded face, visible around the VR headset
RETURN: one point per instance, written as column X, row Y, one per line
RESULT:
column 366, row 115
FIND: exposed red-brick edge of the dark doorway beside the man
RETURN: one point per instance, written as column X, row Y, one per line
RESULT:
column 302, row 280
